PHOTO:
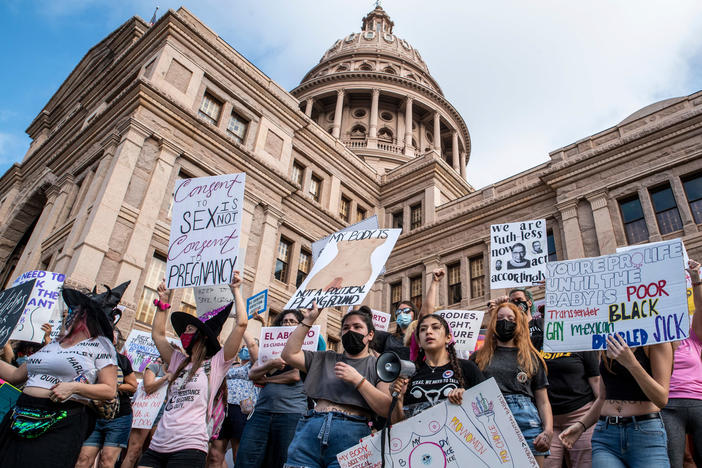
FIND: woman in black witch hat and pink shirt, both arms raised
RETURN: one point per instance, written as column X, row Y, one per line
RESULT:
column 183, row 432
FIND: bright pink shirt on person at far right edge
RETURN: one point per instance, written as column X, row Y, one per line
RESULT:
column 686, row 381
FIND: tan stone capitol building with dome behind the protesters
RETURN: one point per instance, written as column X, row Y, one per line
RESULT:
column 366, row 132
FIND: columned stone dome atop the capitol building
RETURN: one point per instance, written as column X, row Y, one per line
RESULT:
column 373, row 91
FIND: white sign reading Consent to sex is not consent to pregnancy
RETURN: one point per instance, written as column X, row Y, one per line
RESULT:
column 204, row 240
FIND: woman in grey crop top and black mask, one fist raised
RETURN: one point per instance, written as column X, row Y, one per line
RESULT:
column 345, row 387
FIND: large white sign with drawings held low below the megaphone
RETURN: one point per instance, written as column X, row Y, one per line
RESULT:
column 479, row 432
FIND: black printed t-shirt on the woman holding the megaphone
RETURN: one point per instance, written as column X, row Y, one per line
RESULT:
column 429, row 386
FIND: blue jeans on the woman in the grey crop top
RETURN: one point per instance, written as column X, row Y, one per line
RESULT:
column 321, row 436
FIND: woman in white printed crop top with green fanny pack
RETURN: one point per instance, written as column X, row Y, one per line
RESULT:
column 51, row 419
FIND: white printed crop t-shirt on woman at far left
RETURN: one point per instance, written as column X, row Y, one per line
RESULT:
column 53, row 364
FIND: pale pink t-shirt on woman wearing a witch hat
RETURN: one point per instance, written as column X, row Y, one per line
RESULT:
column 184, row 422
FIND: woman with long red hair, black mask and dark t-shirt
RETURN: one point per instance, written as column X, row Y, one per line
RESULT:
column 509, row 356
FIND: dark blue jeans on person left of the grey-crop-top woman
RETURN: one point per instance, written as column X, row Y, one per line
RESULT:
column 265, row 440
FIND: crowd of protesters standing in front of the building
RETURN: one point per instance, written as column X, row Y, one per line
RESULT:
column 623, row 407
